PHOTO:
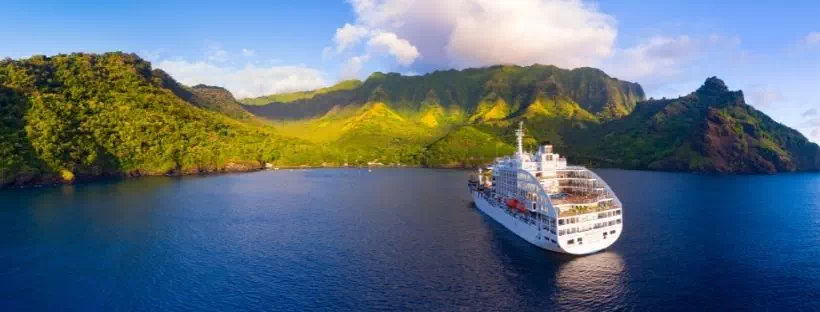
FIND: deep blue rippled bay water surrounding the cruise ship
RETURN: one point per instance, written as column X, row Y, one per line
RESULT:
column 401, row 239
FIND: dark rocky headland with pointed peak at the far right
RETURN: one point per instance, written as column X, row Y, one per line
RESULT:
column 711, row 129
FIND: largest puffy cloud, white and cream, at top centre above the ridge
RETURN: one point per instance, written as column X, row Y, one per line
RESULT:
column 463, row 33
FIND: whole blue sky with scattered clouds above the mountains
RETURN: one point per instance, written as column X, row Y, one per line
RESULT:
column 769, row 50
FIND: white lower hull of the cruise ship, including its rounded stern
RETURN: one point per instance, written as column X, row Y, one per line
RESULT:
column 594, row 240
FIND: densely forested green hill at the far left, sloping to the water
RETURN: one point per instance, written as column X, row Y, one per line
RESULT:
column 80, row 116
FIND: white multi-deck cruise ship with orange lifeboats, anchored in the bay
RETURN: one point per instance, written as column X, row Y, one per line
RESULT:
column 537, row 196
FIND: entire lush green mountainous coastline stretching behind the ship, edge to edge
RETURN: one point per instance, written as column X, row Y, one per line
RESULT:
column 79, row 116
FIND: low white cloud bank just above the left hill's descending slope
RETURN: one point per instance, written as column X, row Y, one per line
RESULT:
column 248, row 81
